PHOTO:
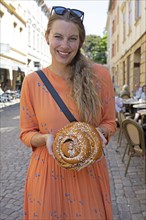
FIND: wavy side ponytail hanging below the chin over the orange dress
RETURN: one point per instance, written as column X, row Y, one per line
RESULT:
column 84, row 93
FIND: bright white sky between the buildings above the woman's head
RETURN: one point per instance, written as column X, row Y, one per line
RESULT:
column 95, row 16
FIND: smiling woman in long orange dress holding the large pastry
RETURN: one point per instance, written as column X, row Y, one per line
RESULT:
column 52, row 192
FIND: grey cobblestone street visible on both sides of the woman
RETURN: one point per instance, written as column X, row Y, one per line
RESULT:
column 128, row 193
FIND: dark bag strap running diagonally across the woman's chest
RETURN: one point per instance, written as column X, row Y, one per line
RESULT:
column 56, row 96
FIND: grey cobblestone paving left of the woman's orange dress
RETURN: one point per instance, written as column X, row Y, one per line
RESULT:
column 14, row 162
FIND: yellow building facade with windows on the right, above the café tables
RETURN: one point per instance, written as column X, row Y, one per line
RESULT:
column 126, row 28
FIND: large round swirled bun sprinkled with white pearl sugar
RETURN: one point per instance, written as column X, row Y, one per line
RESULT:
column 77, row 145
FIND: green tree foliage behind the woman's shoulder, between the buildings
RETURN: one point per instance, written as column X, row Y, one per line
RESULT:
column 95, row 48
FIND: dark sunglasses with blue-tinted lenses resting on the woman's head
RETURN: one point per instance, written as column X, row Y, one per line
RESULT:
column 59, row 10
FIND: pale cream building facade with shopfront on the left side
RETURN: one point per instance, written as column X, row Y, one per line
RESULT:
column 23, row 48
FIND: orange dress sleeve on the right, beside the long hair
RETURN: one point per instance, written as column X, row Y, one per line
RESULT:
column 108, row 114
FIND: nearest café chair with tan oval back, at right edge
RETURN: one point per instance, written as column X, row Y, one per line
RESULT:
column 135, row 142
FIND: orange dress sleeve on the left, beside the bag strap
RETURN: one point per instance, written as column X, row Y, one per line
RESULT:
column 28, row 121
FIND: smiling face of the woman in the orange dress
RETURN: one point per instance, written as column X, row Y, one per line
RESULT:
column 64, row 42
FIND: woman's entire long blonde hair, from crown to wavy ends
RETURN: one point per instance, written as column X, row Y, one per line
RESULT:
column 81, row 76
